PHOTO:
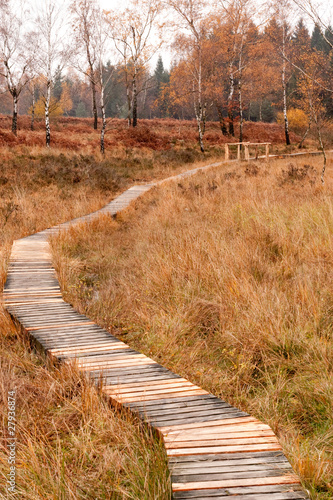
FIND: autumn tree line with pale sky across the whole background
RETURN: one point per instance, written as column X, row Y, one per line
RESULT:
column 232, row 60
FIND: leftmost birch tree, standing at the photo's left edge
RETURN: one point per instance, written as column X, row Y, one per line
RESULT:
column 17, row 50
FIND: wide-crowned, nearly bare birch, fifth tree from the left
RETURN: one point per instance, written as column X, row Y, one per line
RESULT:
column 132, row 32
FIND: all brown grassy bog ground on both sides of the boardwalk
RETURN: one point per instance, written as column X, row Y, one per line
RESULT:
column 225, row 278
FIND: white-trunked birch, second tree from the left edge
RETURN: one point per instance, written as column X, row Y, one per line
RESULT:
column 53, row 51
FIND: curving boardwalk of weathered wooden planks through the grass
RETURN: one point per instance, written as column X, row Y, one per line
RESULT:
column 214, row 450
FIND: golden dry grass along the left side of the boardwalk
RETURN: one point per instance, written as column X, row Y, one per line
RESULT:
column 71, row 444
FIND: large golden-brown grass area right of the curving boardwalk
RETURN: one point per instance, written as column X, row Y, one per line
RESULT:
column 226, row 278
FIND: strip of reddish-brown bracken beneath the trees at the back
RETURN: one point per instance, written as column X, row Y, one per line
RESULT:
column 77, row 135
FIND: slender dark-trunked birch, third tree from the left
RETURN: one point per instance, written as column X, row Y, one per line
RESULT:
column 85, row 14
